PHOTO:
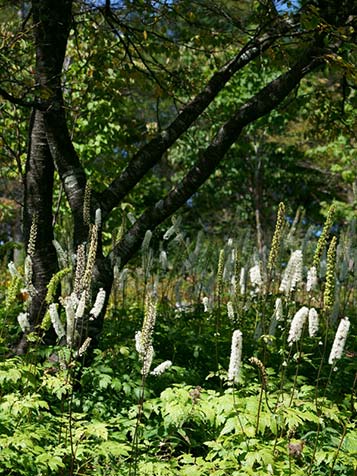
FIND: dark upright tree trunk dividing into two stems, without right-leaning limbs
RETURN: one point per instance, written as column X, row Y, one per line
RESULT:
column 50, row 145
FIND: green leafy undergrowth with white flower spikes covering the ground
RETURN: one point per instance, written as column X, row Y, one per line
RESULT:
column 286, row 407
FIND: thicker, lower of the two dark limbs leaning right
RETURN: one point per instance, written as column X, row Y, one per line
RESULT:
column 259, row 105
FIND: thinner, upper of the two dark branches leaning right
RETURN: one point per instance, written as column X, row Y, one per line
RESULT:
column 152, row 152
